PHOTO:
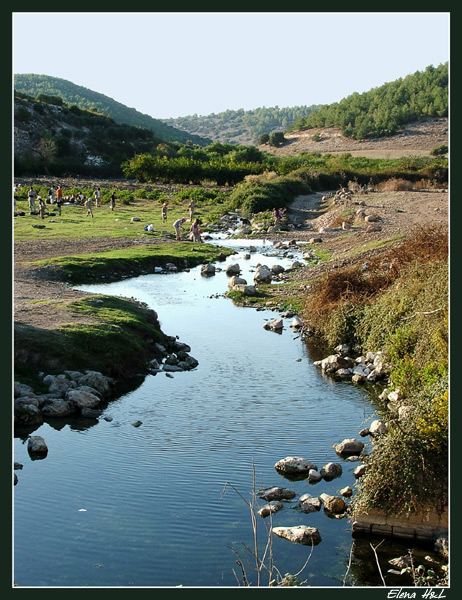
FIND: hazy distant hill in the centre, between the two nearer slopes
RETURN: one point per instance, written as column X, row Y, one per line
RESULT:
column 241, row 126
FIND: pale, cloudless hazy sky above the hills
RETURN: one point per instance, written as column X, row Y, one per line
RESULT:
column 177, row 64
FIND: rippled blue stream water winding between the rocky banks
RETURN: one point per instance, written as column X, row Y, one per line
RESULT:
column 117, row 505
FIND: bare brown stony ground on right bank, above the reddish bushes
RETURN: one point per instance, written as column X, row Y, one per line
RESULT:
column 398, row 214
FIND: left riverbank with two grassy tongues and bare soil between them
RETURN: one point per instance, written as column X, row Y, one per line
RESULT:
column 58, row 328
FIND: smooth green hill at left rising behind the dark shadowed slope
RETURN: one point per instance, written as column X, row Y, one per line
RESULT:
column 33, row 85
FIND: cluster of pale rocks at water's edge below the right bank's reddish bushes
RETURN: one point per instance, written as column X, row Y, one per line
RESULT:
column 371, row 367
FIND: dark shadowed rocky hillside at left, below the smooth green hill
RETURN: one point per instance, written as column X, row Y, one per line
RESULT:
column 63, row 140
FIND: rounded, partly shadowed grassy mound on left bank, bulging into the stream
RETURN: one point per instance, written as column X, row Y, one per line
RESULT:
column 116, row 337
